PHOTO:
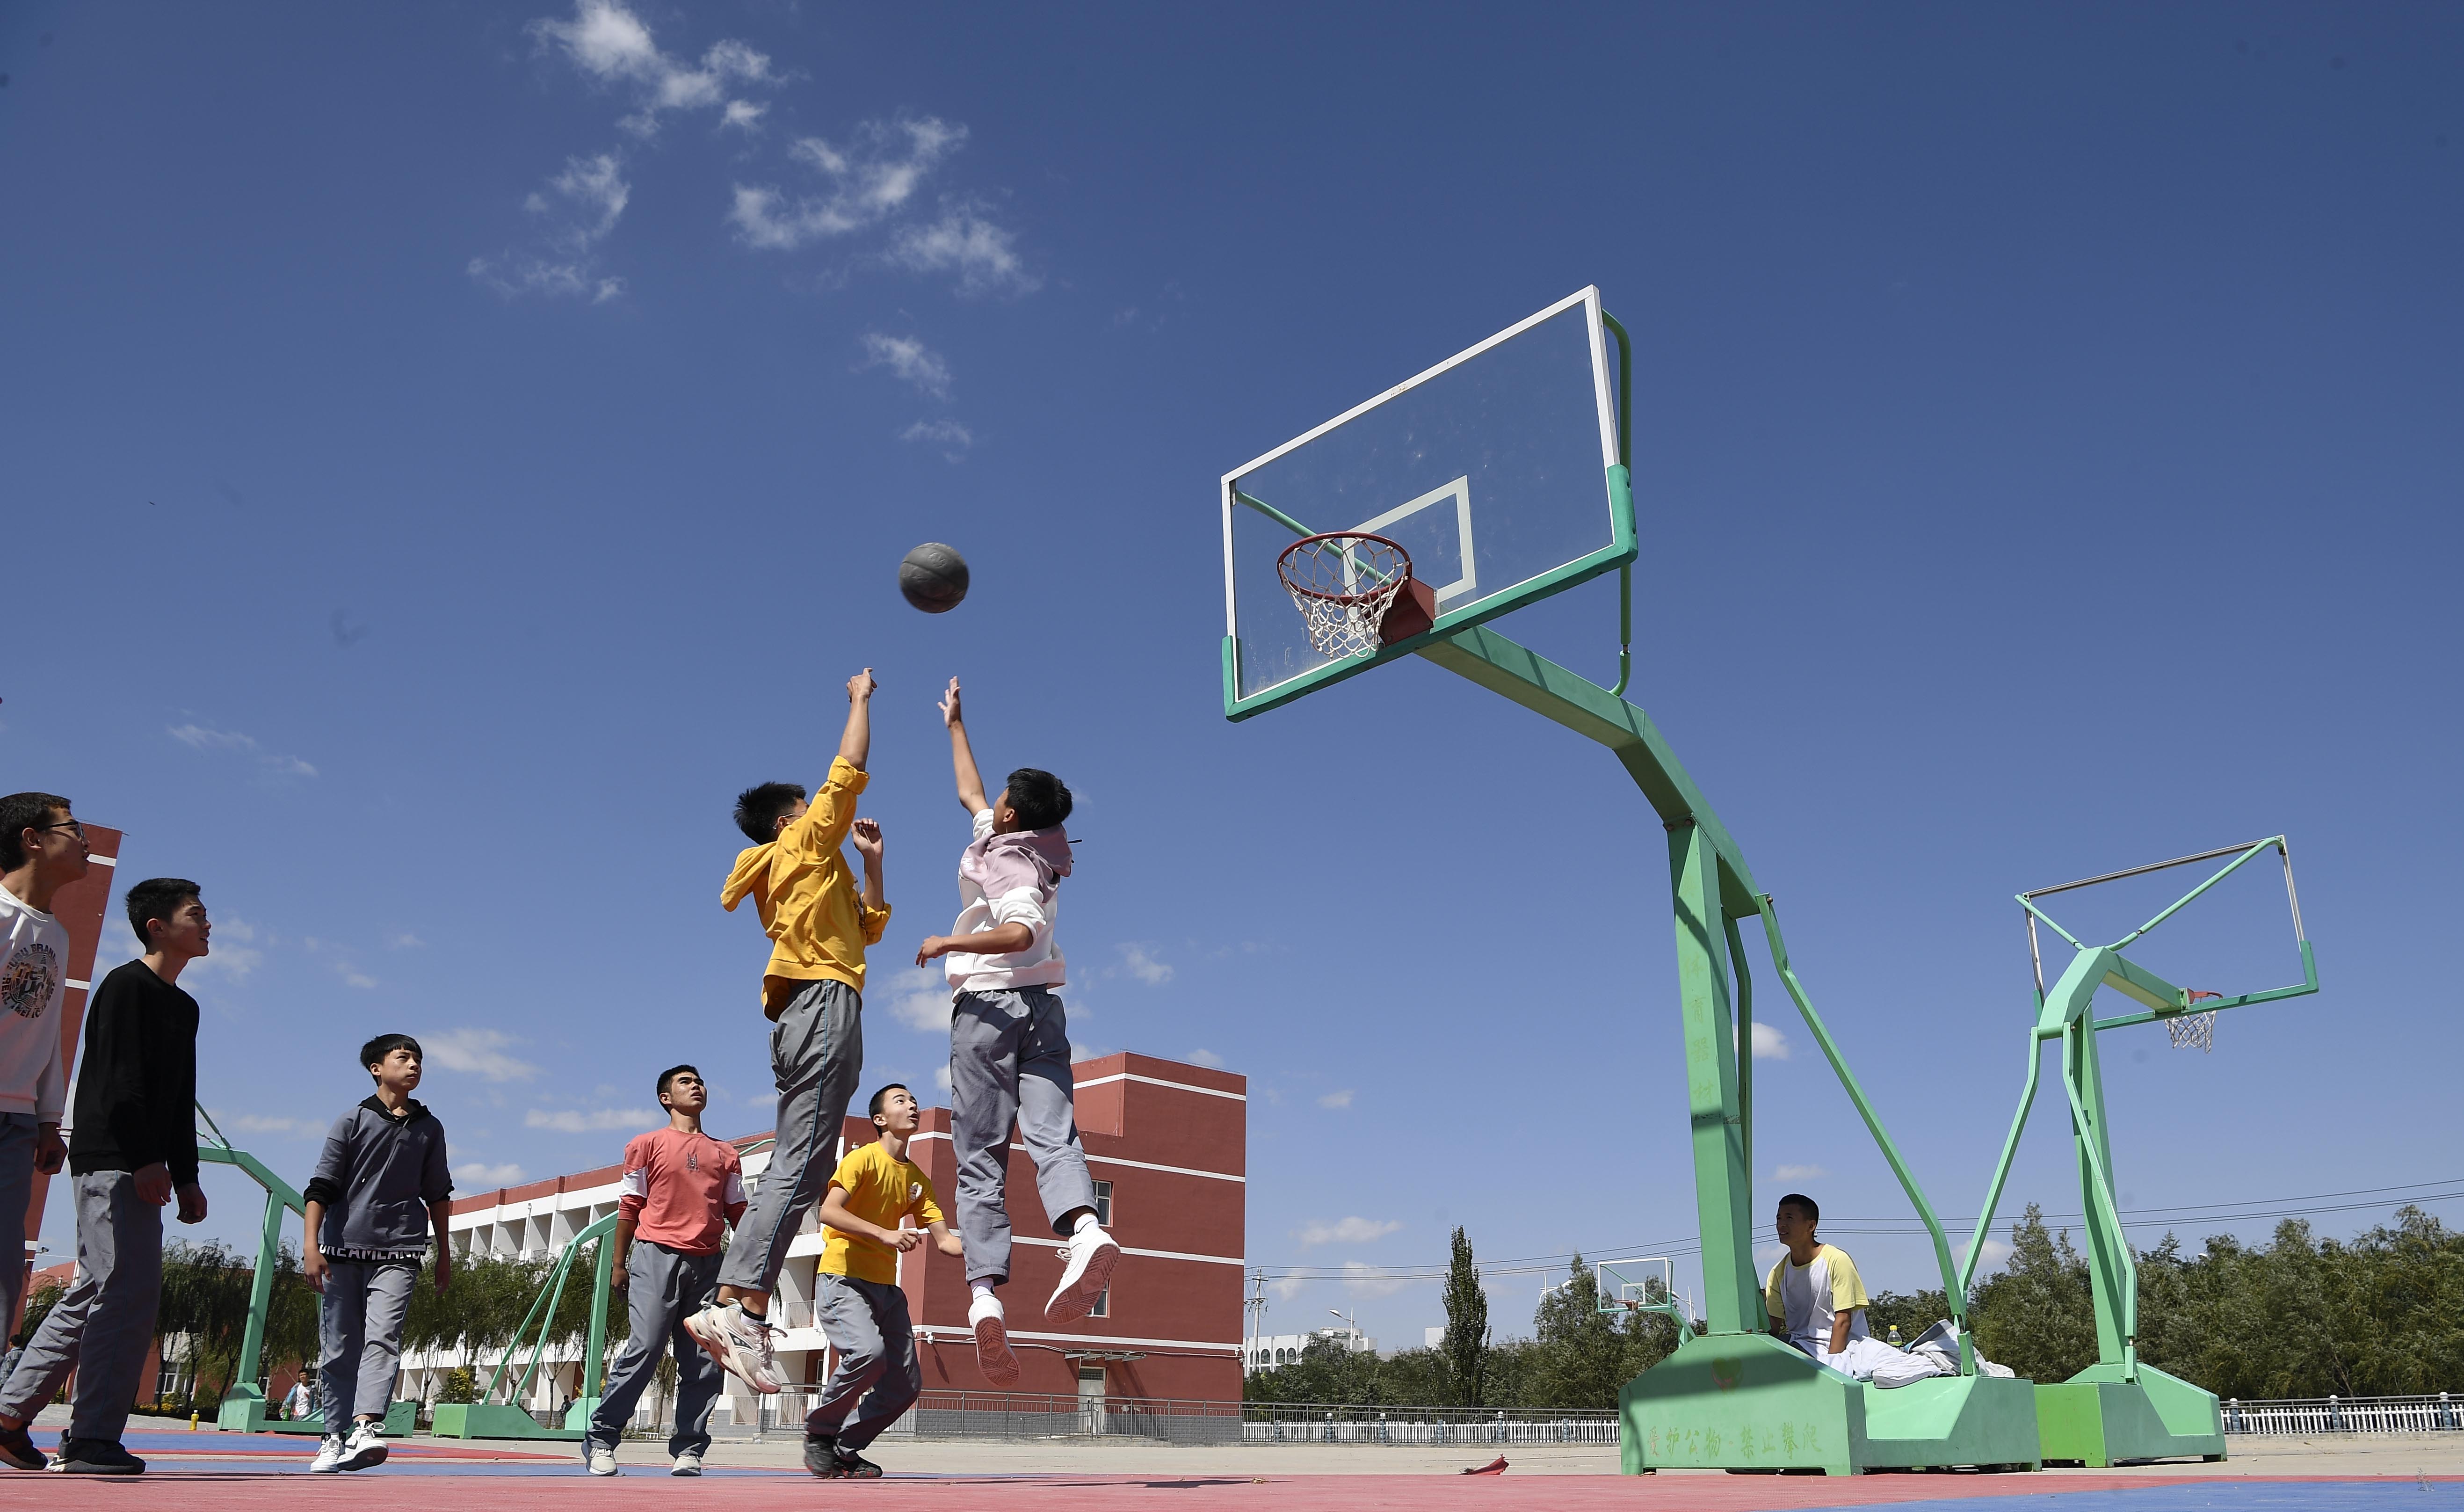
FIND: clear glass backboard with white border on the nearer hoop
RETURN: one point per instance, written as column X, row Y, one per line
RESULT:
column 1497, row 472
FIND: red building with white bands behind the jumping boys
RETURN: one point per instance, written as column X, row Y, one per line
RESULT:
column 1167, row 1146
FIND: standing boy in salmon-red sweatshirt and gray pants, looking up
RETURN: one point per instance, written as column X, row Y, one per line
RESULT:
column 681, row 1191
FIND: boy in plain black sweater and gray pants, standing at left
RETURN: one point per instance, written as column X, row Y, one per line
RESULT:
column 134, row 1146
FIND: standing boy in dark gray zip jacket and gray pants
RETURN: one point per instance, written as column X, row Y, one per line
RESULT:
column 378, row 1193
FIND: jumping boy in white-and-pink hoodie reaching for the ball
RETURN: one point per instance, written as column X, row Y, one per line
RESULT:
column 1009, row 1045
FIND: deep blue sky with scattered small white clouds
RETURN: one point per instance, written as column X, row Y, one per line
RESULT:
column 450, row 452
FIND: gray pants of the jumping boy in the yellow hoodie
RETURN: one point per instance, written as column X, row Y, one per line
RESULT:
column 817, row 1058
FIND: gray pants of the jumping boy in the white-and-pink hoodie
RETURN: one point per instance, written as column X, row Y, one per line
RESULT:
column 1009, row 1058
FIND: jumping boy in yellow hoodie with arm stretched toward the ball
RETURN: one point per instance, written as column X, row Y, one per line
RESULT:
column 812, row 991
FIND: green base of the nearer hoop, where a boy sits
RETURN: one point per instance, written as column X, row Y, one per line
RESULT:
column 1753, row 1402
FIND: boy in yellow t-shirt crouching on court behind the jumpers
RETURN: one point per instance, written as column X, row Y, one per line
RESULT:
column 859, row 1299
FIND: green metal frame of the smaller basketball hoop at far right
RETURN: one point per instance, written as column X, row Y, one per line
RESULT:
column 2120, row 1410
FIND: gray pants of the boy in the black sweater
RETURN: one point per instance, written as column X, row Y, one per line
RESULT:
column 102, row 1326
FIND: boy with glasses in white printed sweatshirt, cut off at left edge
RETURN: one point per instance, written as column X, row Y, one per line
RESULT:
column 43, row 848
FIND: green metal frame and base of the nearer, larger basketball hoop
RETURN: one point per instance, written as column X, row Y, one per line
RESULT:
column 1689, row 1410
